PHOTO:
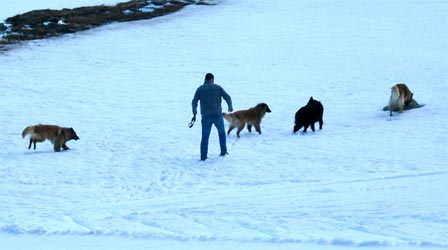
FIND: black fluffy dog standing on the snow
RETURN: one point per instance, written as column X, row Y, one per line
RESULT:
column 308, row 115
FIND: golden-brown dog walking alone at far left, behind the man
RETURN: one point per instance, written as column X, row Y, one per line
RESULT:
column 58, row 136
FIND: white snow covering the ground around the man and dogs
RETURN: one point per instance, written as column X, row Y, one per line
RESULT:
column 134, row 179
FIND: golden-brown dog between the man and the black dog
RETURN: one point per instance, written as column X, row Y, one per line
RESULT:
column 251, row 117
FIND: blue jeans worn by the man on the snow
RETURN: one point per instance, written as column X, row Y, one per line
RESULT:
column 207, row 122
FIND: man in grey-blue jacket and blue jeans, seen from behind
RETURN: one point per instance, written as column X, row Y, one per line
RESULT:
column 210, row 95
